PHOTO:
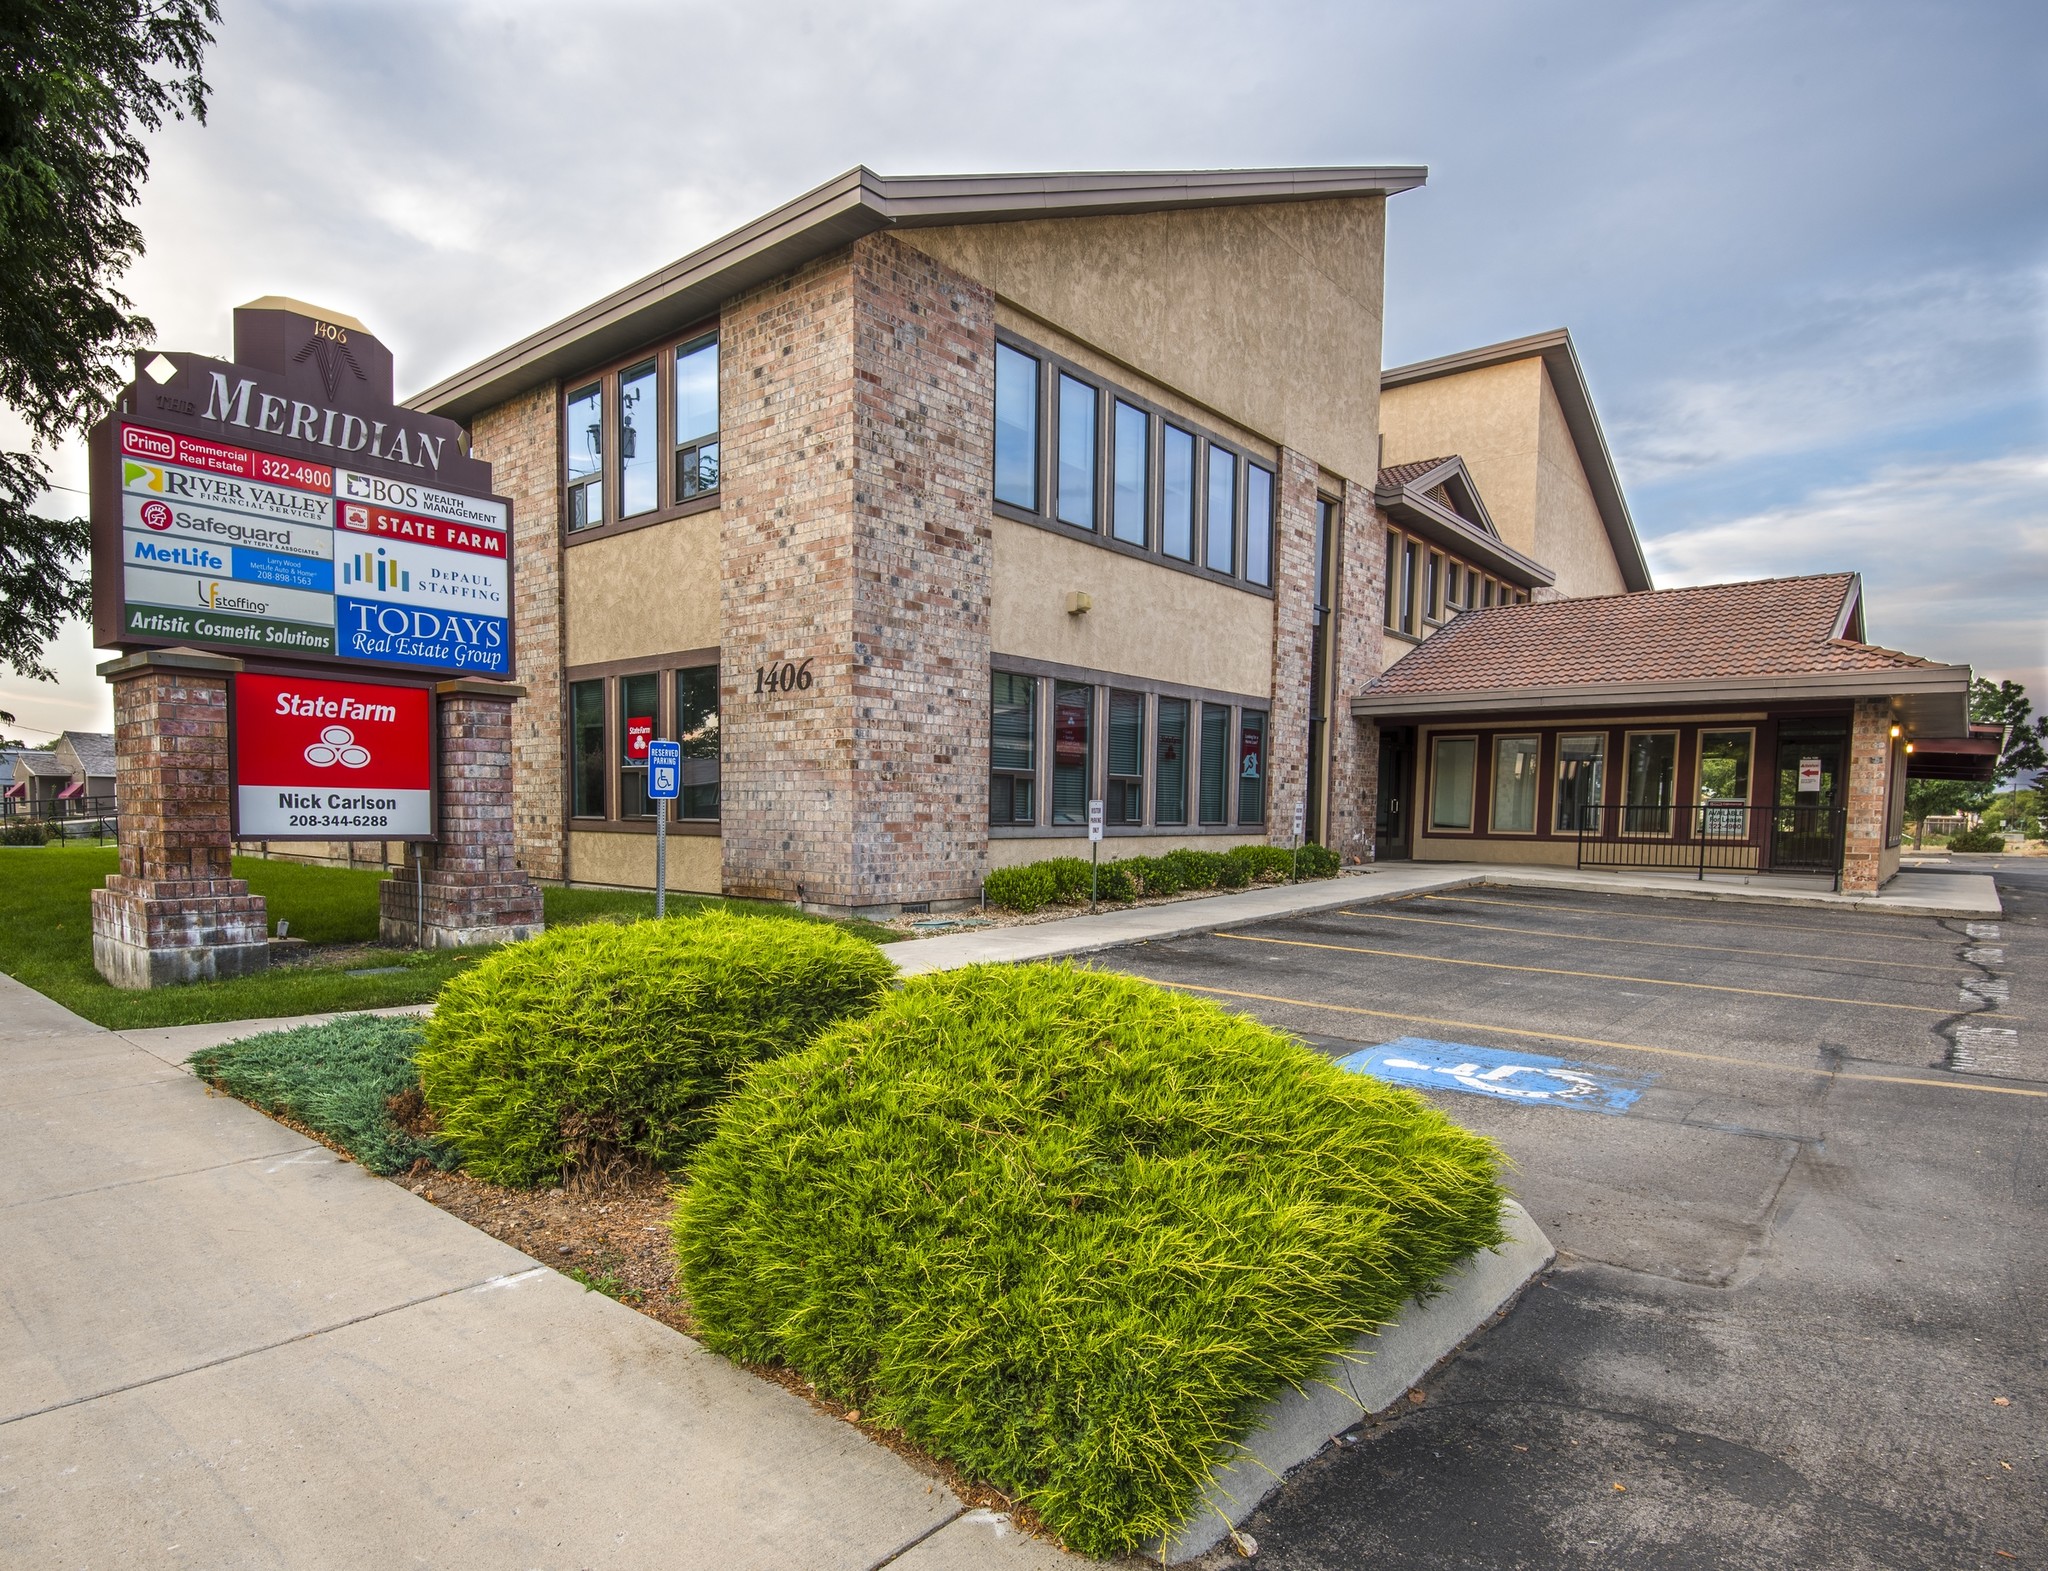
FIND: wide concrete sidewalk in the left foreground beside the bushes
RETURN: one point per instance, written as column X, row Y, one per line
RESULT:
column 222, row 1347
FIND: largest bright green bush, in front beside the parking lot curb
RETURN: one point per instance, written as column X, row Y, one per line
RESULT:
column 1070, row 1230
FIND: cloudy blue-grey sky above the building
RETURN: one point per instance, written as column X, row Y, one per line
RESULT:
column 1803, row 247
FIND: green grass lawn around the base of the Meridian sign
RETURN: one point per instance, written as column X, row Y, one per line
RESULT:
column 46, row 939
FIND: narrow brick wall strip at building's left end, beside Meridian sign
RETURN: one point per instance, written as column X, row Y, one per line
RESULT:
column 521, row 441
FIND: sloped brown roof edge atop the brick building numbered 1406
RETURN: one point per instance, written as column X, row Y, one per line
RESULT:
column 837, row 214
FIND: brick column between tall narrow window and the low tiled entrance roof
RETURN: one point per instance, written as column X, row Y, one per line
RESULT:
column 1355, row 749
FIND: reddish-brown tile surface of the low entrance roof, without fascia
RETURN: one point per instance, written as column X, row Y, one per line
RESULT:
column 1768, row 628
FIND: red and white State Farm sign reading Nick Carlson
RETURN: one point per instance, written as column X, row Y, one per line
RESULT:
column 333, row 761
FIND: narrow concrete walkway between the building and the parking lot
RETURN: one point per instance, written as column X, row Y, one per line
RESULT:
column 1969, row 896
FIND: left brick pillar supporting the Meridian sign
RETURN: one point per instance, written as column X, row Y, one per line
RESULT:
column 175, row 912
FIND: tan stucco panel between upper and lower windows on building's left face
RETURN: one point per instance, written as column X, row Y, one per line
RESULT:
column 646, row 593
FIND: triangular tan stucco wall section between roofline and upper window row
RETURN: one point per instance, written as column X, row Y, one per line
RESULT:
column 1269, row 314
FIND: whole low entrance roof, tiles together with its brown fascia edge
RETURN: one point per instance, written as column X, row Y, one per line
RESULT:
column 1770, row 638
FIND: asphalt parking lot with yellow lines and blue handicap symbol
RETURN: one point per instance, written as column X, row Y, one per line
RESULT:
column 1795, row 1169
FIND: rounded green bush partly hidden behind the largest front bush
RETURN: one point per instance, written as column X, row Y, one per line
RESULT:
column 609, row 1044
